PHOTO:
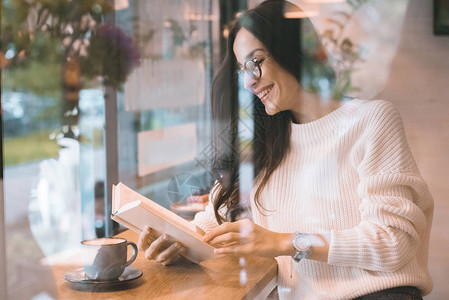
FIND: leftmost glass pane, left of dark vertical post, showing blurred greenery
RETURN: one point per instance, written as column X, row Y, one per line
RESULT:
column 52, row 91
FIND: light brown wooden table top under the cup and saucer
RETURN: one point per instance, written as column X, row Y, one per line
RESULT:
column 222, row 278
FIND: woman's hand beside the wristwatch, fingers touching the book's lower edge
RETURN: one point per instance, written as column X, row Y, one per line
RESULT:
column 244, row 237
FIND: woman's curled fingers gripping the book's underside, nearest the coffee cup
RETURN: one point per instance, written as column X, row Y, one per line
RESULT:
column 159, row 249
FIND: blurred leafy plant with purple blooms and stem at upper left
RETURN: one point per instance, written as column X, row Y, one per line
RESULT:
column 52, row 48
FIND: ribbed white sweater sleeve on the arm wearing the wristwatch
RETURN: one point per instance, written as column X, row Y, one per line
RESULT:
column 393, row 196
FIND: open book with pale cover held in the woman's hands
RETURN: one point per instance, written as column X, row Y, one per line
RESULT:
column 136, row 212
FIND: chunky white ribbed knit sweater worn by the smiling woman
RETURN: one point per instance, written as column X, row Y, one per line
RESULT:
column 350, row 173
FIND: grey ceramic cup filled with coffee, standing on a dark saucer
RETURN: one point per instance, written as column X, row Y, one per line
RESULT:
column 105, row 258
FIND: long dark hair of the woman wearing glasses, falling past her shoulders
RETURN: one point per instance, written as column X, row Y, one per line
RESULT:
column 281, row 37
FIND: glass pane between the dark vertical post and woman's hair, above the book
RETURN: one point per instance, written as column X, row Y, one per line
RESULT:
column 164, row 108
